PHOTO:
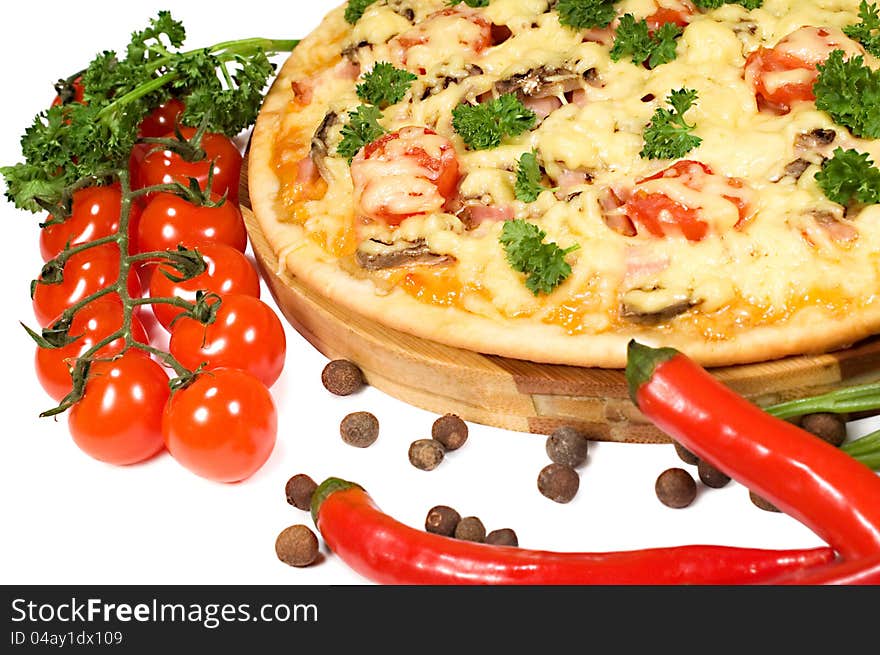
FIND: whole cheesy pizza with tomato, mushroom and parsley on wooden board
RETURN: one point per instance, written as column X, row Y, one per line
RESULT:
column 549, row 180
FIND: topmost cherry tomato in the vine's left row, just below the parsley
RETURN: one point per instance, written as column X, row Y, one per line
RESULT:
column 95, row 215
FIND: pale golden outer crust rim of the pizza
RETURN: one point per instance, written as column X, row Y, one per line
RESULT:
column 810, row 330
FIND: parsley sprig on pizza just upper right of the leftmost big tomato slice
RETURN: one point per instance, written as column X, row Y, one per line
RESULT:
column 483, row 126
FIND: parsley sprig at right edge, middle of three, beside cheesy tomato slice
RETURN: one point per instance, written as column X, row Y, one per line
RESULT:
column 850, row 92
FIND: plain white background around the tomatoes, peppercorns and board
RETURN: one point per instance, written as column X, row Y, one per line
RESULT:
column 69, row 519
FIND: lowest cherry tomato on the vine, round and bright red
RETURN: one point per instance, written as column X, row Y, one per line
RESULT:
column 223, row 426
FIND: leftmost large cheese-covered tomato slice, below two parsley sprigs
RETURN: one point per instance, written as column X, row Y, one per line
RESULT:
column 405, row 173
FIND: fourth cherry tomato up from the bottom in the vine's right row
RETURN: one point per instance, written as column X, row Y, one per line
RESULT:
column 169, row 220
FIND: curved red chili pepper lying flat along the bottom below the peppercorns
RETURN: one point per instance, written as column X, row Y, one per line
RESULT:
column 386, row 551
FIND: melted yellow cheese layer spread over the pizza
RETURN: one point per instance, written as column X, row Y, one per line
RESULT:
column 760, row 271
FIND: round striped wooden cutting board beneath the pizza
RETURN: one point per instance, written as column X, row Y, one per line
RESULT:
column 519, row 395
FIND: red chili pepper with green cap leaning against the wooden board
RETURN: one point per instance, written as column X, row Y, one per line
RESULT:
column 825, row 489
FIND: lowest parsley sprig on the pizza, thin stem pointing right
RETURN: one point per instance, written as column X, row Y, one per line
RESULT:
column 543, row 263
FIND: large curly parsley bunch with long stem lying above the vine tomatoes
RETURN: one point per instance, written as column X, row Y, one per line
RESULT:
column 221, row 87
